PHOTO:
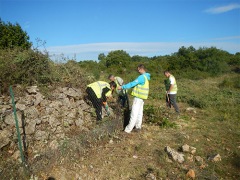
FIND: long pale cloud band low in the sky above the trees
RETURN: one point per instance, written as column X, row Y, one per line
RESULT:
column 149, row 49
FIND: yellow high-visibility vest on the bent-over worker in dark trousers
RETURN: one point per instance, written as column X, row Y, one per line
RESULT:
column 98, row 87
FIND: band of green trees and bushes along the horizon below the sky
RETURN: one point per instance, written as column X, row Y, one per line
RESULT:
column 21, row 63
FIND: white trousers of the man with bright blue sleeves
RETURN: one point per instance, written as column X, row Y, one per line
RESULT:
column 136, row 115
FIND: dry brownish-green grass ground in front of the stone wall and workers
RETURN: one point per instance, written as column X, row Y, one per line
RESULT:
column 107, row 153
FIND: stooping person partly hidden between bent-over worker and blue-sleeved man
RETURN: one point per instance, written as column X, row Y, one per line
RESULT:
column 121, row 93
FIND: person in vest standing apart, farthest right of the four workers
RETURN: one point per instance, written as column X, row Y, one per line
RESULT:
column 172, row 91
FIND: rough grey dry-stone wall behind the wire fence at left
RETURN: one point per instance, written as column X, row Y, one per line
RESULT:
column 43, row 121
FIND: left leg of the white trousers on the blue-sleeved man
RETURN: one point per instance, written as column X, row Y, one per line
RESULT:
column 133, row 116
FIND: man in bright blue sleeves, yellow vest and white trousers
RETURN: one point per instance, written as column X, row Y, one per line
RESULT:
column 140, row 93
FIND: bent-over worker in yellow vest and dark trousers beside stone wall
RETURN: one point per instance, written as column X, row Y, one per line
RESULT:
column 98, row 92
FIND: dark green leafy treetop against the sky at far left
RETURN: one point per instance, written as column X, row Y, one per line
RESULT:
column 13, row 36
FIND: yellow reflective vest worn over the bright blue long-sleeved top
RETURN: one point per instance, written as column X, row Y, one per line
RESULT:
column 141, row 91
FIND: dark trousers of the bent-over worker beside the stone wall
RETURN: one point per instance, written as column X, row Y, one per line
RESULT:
column 96, row 102
